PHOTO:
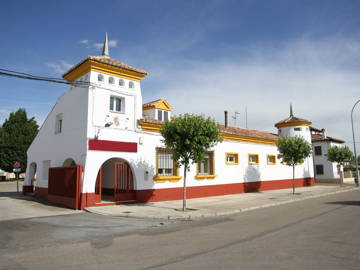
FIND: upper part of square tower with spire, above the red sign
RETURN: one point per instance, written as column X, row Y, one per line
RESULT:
column 116, row 86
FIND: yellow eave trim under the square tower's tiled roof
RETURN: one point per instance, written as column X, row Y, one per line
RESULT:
column 91, row 65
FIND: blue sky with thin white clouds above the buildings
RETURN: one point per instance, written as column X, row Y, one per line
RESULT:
column 202, row 56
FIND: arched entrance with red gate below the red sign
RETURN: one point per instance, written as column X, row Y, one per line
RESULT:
column 115, row 181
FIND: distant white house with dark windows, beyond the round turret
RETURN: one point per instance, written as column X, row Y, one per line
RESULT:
column 325, row 171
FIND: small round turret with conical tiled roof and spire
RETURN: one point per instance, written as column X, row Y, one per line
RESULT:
column 294, row 126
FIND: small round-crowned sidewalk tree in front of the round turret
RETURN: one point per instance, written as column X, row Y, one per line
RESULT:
column 293, row 150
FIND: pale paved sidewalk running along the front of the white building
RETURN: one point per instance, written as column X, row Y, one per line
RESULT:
column 220, row 205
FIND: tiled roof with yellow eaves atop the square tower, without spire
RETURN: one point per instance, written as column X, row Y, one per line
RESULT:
column 107, row 65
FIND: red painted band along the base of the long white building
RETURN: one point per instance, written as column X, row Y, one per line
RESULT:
column 168, row 194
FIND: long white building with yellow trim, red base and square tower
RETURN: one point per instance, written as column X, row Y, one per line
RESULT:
column 101, row 123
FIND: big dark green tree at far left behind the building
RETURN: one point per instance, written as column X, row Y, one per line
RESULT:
column 16, row 135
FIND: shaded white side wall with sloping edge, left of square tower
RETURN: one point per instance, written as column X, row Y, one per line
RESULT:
column 70, row 143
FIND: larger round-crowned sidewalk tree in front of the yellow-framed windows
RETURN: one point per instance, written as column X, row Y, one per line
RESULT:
column 188, row 137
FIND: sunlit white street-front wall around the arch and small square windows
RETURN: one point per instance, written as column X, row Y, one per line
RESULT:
column 145, row 161
